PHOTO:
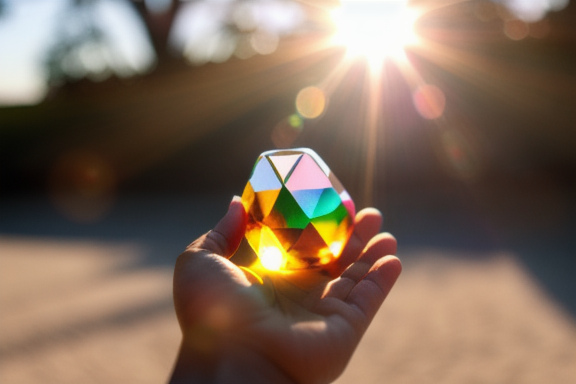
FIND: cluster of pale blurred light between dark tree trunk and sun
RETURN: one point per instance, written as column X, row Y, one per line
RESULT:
column 212, row 31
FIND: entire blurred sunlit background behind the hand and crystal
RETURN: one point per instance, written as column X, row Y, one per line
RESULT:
column 127, row 126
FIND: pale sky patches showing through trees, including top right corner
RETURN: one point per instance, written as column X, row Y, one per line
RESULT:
column 28, row 28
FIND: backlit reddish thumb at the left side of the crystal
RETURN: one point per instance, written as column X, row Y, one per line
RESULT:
column 225, row 238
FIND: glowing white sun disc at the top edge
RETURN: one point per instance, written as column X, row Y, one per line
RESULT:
column 375, row 29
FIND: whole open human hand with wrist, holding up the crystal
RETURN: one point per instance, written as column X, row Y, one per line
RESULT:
column 234, row 331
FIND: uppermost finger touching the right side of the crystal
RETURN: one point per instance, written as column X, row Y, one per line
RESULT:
column 367, row 224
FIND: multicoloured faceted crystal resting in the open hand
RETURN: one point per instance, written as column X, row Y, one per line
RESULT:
column 299, row 214
